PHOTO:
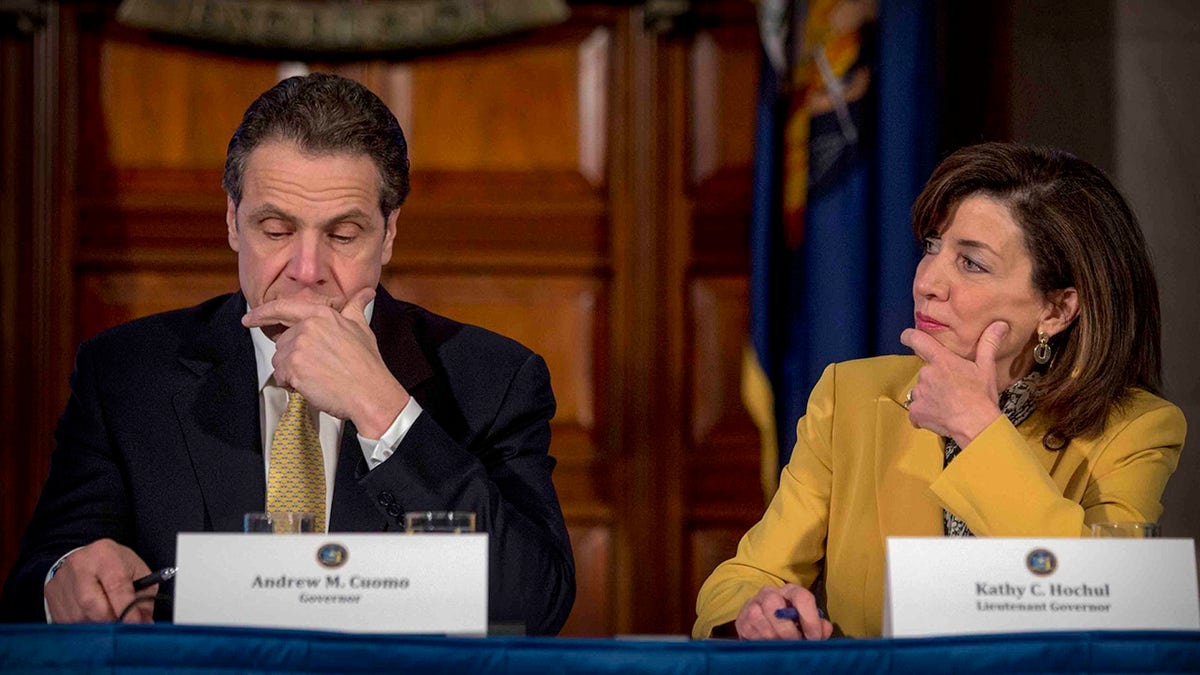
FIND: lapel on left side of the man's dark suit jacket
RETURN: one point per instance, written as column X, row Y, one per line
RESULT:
column 219, row 417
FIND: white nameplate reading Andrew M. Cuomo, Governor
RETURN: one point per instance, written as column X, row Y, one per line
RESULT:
column 355, row 583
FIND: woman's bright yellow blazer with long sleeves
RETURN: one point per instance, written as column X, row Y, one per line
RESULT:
column 862, row 473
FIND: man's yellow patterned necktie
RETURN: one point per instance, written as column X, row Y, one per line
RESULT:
column 297, row 476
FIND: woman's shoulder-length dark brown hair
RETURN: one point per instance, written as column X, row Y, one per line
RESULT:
column 1081, row 234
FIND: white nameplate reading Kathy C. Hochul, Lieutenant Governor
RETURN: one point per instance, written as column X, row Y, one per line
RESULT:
column 945, row 587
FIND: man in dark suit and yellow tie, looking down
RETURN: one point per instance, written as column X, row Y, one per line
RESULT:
column 173, row 420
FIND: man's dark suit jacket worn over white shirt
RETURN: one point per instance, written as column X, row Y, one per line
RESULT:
column 163, row 435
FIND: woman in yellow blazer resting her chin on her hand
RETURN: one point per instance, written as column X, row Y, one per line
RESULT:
column 1030, row 408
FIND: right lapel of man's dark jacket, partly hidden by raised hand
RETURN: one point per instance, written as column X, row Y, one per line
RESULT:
column 353, row 509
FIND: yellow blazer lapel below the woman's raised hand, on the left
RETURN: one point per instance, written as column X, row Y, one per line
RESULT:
column 909, row 461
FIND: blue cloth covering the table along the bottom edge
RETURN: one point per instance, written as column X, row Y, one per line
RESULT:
column 189, row 649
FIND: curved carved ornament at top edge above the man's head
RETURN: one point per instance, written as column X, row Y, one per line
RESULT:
column 341, row 26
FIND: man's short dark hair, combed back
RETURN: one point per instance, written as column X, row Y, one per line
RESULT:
column 323, row 115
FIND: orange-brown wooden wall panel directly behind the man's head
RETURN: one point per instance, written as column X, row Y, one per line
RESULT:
column 530, row 196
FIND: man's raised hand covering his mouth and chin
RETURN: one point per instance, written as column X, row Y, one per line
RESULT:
column 333, row 360
